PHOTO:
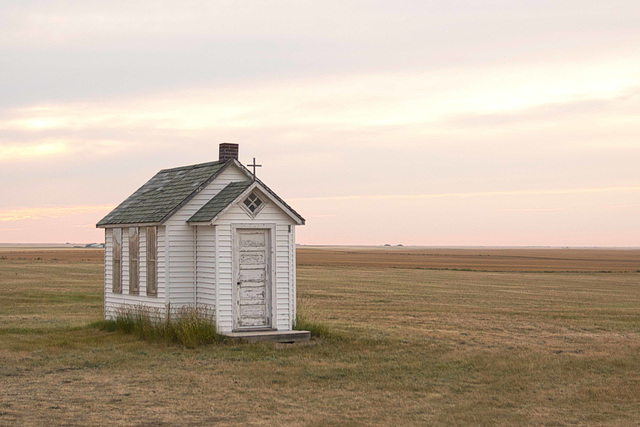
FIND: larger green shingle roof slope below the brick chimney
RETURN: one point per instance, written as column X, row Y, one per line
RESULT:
column 163, row 194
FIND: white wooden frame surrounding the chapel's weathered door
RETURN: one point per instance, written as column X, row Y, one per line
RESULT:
column 271, row 272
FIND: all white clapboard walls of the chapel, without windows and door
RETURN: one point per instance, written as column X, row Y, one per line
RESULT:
column 199, row 277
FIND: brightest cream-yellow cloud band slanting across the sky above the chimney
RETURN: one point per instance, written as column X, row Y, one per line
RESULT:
column 376, row 99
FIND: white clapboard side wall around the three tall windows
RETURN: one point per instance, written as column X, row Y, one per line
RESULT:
column 114, row 302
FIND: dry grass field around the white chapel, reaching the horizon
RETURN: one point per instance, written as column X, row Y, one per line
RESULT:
column 417, row 336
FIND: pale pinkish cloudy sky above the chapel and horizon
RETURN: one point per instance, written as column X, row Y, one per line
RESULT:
column 493, row 122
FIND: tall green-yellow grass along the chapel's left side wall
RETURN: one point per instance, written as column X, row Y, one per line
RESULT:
column 188, row 326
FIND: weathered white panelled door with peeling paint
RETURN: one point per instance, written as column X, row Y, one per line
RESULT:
column 253, row 284
